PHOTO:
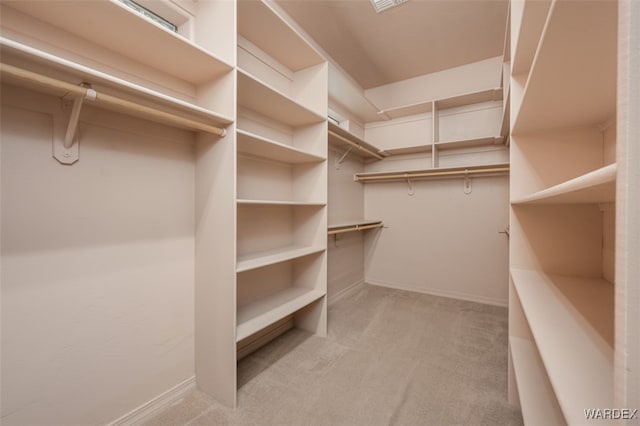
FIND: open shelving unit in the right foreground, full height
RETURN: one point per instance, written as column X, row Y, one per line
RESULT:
column 563, row 208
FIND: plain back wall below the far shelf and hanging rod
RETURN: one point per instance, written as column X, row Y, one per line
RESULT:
column 440, row 240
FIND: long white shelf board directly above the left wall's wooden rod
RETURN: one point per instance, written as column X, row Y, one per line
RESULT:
column 101, row 81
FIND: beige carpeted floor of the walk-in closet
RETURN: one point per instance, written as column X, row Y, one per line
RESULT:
column 392, row 358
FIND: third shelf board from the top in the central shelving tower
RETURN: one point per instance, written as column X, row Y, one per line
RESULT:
column 250, row 143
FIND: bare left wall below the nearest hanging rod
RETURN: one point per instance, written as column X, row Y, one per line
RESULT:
column 97, row 265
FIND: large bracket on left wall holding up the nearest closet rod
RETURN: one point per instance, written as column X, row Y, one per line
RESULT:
column 65, row 138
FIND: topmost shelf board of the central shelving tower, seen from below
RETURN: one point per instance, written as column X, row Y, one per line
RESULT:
column 261, row 25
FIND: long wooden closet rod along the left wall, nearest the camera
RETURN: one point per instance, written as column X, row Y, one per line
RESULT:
column 107, row 100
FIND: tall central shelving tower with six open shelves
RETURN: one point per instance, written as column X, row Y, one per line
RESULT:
column 281, row 179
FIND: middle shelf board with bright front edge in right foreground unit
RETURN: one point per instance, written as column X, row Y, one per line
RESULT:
column 598, row 186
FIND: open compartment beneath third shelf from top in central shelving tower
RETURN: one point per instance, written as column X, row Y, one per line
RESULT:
column 266, row 179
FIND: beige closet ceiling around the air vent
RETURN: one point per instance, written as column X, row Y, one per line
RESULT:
column 415, row 38
